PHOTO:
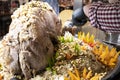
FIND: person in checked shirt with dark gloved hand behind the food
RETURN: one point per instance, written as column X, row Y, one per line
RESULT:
column 104, row 16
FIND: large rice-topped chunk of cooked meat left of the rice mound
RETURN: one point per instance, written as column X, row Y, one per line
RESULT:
column 31, row 40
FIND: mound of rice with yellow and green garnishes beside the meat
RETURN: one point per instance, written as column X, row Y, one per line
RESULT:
column 81, row 58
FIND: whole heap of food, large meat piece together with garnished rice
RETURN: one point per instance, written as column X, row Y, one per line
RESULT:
column 38, row 52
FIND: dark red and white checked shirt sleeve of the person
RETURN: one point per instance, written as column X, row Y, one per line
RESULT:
column 105, row 16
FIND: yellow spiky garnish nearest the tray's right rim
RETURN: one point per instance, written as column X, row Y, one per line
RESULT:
column 105, row 55
